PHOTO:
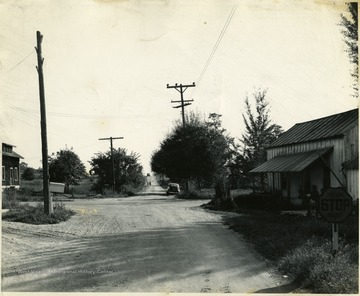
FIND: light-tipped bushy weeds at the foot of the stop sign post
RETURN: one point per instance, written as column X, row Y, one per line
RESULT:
column 314, row 263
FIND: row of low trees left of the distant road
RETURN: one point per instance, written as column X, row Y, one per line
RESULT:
column 66, row 167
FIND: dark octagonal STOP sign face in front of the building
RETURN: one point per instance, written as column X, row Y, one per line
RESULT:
column 335, row 205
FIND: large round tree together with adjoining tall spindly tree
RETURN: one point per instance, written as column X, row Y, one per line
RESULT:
column 204, row 154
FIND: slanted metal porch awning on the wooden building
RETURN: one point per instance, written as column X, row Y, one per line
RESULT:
column 296, row 162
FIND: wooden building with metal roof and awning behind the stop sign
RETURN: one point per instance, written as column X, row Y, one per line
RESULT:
column 313, row 156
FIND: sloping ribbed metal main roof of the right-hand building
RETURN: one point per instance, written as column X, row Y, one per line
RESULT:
column 323, row 128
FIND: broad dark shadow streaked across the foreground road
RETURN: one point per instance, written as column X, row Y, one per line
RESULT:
column 130, row 262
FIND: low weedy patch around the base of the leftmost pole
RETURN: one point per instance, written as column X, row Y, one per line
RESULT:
column 35, row 215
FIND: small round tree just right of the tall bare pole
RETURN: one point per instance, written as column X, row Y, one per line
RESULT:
column 66, row 167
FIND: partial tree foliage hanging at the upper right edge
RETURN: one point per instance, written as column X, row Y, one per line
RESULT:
column 350, row 32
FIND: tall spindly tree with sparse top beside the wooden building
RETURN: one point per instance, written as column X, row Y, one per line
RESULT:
column 259, row 133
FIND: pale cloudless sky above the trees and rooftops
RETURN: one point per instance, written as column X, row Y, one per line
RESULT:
column 107, row 64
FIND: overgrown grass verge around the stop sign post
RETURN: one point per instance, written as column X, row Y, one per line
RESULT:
column 300, row 247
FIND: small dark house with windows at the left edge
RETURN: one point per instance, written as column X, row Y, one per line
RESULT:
column 10, row 166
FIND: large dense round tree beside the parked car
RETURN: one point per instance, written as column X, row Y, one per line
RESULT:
column 199, row 151
